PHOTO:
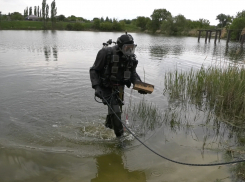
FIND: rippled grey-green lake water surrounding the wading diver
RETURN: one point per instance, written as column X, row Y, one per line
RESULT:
column 51, row 128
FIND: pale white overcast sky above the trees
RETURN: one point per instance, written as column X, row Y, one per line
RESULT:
column 130, row 9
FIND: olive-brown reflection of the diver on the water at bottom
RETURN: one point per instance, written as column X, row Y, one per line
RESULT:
column 112, row 168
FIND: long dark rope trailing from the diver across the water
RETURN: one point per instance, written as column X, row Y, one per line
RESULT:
column 177, row 162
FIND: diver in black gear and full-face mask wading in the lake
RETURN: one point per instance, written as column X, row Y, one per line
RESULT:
column 115, row 67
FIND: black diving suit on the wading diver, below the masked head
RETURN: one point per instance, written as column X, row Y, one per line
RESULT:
column 112, row 82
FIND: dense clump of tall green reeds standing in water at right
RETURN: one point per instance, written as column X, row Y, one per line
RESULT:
column 217, row 88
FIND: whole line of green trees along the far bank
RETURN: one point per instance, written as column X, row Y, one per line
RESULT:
column 161, row 20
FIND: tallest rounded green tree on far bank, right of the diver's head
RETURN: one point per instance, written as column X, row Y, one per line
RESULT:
column 158, row 16
